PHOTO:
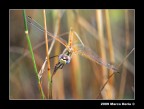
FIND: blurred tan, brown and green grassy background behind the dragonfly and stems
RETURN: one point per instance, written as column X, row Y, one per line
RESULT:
column 108, row 33
